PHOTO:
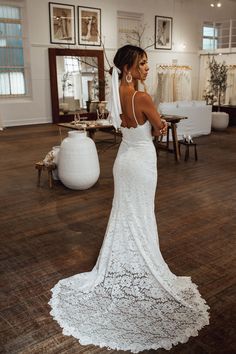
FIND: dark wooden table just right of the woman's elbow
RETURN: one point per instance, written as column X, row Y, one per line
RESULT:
column 172, row 120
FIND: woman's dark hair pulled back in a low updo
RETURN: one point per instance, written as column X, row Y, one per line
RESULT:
column 127, row 55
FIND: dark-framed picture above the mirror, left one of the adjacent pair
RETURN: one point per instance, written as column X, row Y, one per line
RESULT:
column 62, row 23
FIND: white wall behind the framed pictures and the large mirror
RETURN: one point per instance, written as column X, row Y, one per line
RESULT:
column 188, row 16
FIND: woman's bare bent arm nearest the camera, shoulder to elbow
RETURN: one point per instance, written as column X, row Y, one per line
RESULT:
column 148, row 108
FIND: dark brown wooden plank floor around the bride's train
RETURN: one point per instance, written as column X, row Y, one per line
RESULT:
column 47, row 235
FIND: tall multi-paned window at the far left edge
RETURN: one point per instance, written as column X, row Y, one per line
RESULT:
column 12, row 68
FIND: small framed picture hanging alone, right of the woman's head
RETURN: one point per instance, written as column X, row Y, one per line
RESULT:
column 163, row 32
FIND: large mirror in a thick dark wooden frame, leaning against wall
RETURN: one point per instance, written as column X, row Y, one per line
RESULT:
column 77, row 82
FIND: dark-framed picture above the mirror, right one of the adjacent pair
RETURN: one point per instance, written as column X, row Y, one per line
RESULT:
column 89, row 26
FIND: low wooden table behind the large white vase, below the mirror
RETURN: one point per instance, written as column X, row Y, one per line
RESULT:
column 88, row 126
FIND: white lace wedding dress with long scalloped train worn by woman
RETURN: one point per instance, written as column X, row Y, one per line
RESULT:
column 130, row 300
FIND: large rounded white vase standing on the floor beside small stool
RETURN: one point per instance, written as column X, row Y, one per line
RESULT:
column 78, row 164
